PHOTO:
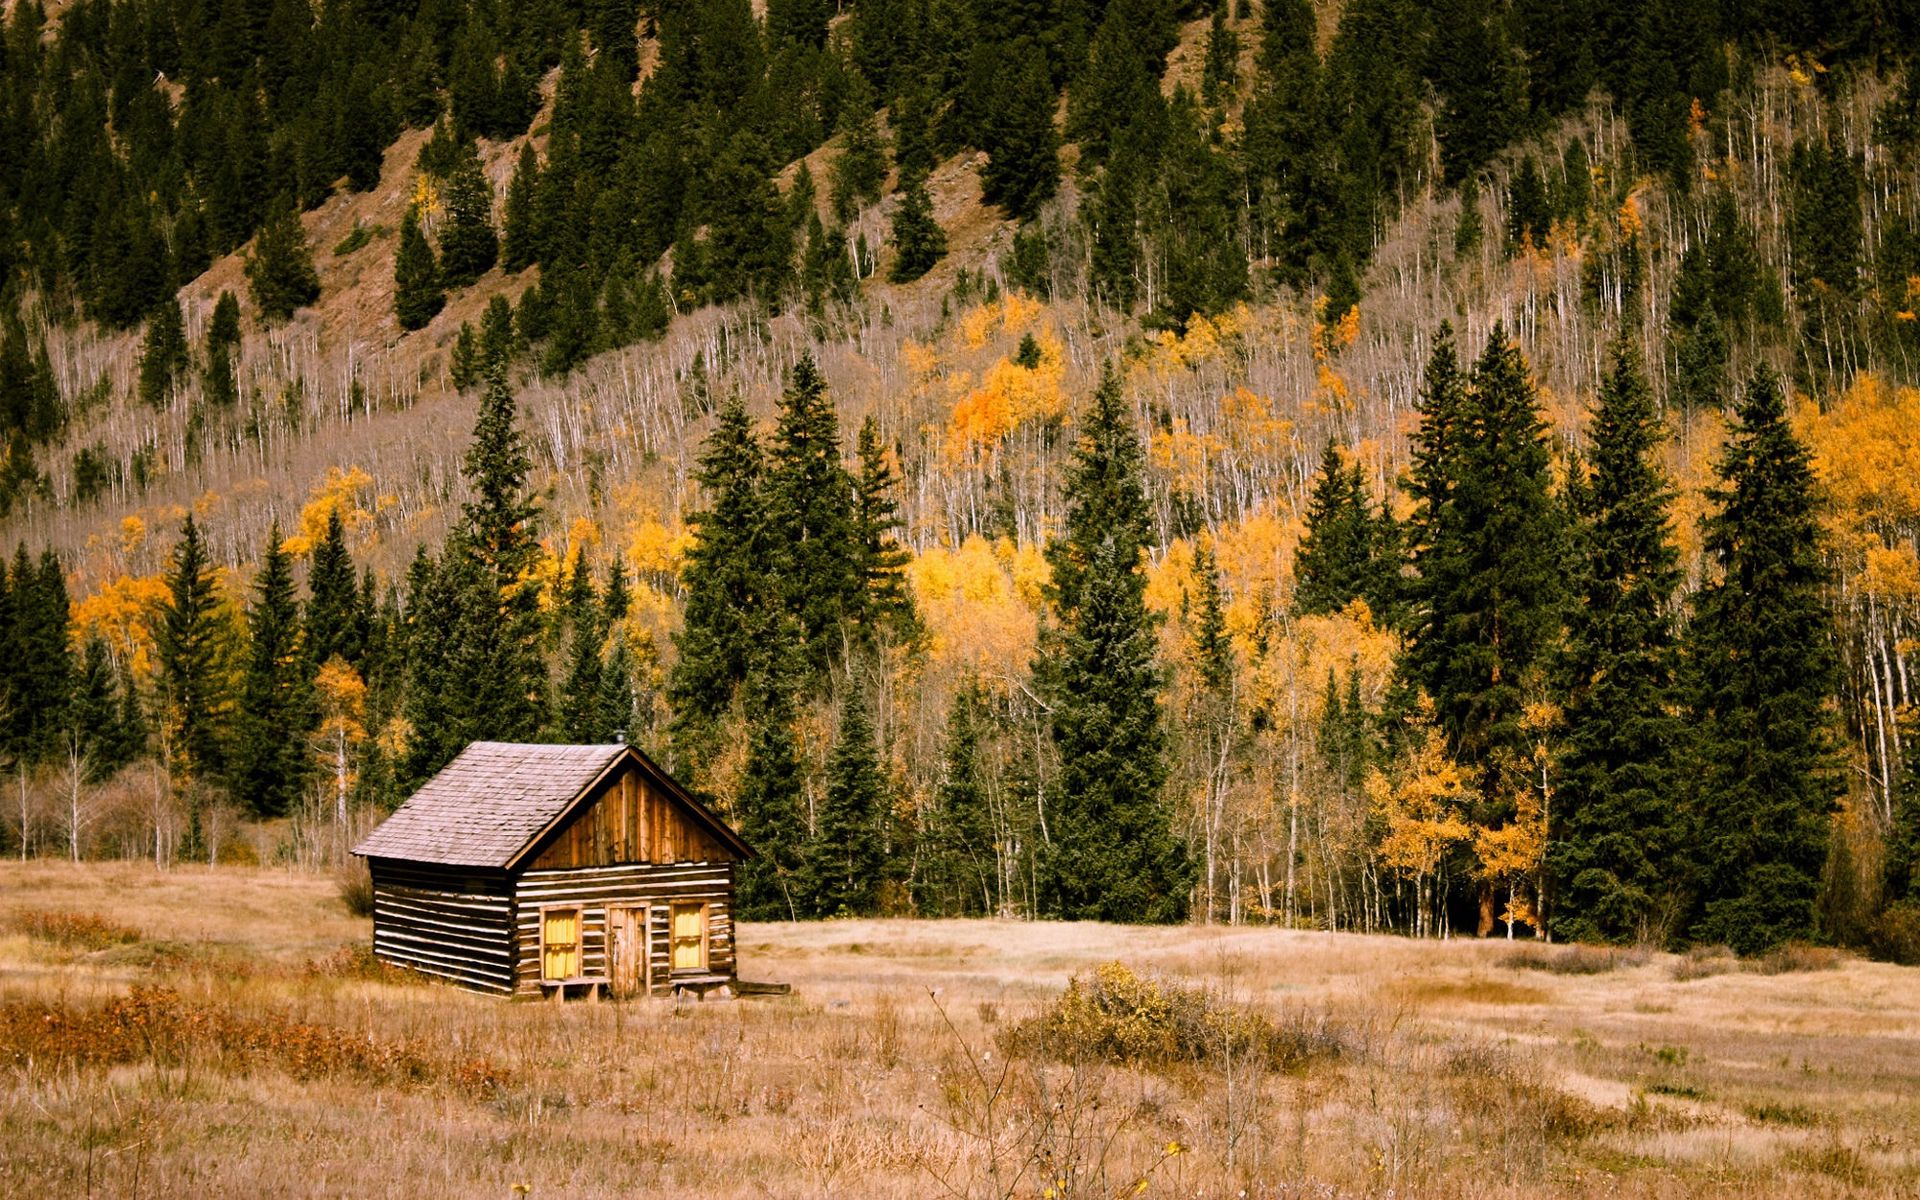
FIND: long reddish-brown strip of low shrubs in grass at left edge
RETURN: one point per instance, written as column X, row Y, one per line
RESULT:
column 155, row 1024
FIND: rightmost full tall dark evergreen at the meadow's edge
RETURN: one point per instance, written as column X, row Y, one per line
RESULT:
column 1762, row 673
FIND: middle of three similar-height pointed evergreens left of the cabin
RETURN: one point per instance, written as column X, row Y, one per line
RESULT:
column 277, row 711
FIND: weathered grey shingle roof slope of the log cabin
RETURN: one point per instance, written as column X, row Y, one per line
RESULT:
column 489, row 804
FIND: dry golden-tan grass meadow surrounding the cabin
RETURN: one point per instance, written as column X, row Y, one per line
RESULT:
column 218, row 1034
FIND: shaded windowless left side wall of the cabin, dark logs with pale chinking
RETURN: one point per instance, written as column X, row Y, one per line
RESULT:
column 444, row 921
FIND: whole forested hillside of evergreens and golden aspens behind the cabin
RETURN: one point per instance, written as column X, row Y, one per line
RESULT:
column 1360, row 466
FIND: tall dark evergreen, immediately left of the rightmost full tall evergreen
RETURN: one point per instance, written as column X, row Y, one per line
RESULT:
column 1618, row 834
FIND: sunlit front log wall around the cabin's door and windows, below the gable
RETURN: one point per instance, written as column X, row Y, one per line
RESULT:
column 598, row 888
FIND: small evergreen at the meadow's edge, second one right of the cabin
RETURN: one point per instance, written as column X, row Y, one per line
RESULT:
column 848, row 853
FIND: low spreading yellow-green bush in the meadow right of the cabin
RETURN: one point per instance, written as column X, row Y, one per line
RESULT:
column 1118, row 1017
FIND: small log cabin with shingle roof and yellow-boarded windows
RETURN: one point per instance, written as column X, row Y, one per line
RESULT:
column 542, row 871
